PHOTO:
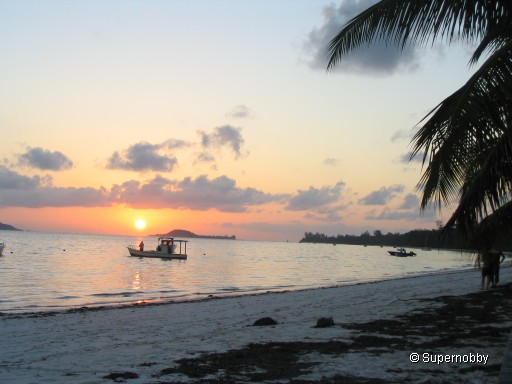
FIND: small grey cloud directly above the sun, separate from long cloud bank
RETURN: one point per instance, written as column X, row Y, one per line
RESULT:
column 144, row 157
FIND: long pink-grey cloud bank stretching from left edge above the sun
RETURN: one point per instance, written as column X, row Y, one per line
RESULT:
column 200, row 193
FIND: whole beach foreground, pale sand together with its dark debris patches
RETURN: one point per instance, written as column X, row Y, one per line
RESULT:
column 377, row 326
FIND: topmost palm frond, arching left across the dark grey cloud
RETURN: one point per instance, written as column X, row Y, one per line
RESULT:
column 416, row 22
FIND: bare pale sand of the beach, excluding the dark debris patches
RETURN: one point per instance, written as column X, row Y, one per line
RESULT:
column 87, row 346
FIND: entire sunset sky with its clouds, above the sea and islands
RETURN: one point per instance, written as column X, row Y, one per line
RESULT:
column 215, row 116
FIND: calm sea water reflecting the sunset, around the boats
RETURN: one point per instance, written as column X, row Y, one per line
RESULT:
column 56, row 271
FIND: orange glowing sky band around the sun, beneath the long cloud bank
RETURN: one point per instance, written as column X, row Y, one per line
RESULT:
column 120, row 220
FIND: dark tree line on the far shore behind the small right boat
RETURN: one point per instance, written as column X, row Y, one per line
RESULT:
column 418, row 238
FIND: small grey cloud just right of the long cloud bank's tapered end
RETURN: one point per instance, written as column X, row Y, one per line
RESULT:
column 314, row 198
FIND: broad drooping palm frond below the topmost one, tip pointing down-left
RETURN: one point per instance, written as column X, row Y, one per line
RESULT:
column 462, row 126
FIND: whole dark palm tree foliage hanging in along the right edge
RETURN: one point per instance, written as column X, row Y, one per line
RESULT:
column 466, row 140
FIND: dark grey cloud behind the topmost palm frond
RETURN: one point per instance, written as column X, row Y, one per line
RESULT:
column 376, row 58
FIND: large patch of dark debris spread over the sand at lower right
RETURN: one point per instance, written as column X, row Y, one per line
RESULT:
column 477, row 319
